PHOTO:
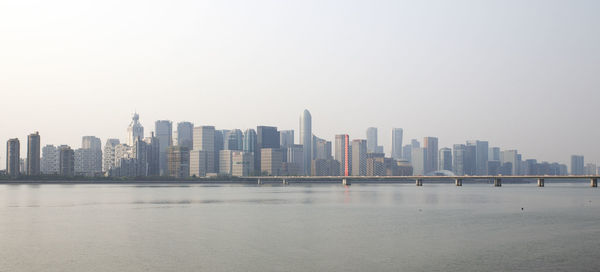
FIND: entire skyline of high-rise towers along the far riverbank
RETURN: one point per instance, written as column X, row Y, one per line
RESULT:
column 190, row 150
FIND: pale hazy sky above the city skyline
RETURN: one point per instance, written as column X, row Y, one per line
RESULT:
column 520, row 74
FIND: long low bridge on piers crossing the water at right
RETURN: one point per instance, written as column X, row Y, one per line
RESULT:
column 458, row 180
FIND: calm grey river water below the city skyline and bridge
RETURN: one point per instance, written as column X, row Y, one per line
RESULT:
column 326, row 227
